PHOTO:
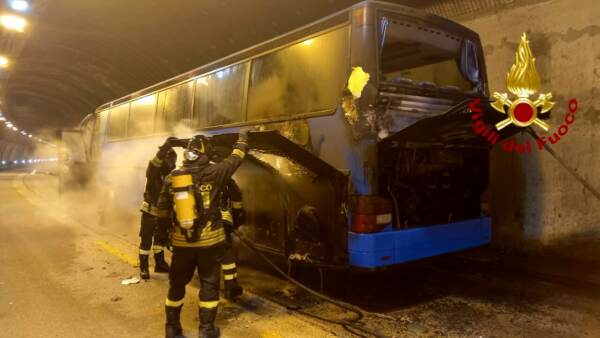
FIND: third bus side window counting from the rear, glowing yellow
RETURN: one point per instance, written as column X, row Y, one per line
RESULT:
column 175, row 107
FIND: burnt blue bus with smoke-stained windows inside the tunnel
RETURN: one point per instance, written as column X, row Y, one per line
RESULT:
column 366, row 158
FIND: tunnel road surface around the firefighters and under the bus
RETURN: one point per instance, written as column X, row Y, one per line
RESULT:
column 60, row 277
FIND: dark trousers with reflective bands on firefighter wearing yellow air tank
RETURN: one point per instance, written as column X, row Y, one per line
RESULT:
column 183, row 264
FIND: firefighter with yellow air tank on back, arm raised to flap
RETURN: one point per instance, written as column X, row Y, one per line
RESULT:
column 189, row 201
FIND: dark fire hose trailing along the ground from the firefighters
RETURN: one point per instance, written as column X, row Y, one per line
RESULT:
column 349, row 325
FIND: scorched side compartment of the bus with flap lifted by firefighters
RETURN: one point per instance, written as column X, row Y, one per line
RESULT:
column 293, row 199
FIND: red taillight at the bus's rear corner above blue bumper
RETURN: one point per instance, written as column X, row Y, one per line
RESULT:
column 370, row 214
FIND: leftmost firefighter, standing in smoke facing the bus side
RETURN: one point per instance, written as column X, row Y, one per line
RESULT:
column 152, row 237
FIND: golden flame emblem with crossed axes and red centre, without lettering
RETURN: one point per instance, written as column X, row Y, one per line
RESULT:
column 523, row 81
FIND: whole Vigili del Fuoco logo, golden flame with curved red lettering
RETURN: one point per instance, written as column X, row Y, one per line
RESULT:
column 523, row 82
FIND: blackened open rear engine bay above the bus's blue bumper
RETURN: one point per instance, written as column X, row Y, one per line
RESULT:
column 436, row 170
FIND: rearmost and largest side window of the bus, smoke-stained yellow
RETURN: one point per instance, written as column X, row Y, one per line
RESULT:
column 303, row 78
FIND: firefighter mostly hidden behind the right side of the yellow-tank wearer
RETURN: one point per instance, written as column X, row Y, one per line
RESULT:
column 232, row 213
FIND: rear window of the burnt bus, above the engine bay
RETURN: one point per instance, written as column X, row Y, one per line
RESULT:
column 416, row 54
